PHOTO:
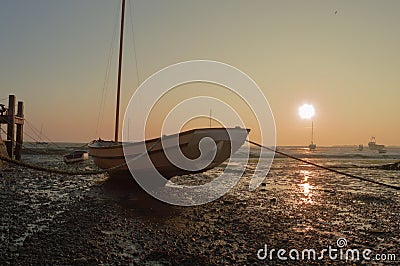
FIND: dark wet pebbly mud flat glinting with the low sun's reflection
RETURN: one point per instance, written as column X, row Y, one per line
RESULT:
column 90, row 220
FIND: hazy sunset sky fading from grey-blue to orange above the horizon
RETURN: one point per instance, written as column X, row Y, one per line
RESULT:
column 340, row 56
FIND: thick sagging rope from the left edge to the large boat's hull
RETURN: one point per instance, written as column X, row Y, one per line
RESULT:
column 66, row 172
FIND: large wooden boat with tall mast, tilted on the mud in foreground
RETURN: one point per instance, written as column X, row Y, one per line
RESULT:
column 110, row 154
